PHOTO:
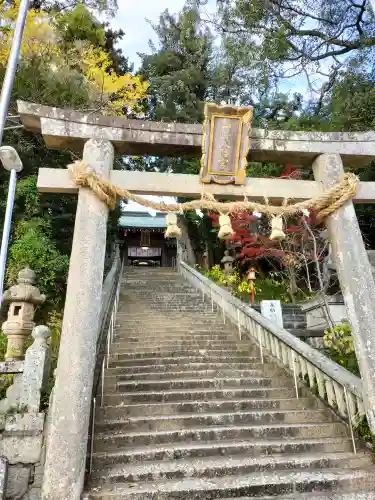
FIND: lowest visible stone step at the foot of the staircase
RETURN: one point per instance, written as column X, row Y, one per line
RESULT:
column 252, row 485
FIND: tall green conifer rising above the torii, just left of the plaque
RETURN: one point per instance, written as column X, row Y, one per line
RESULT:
column 178, row 68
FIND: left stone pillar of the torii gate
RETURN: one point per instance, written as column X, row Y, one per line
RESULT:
column 67, row 438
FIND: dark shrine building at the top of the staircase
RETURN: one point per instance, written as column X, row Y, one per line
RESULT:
column 143, row 241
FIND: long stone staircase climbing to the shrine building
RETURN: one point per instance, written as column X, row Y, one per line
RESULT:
column 189, row 412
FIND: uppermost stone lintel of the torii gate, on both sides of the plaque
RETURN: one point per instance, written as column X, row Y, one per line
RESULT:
column 68, row 129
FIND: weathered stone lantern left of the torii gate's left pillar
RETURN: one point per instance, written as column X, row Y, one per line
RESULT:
column 22, row 299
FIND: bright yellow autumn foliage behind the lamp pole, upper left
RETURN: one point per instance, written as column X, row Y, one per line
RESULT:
column 111, row 93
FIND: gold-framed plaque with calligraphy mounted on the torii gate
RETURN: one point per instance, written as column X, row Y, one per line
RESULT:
column 226, row 143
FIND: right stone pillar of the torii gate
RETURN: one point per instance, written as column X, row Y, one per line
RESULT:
column 354, row 272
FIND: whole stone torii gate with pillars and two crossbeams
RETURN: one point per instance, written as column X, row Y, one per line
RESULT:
column 98, row 137
